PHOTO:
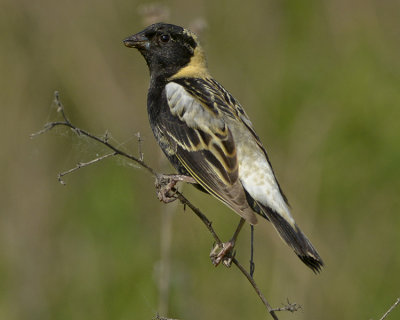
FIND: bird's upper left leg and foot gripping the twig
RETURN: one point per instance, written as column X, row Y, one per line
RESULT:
column 165, row 185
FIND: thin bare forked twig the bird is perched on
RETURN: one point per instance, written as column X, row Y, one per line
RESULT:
column 104, row 140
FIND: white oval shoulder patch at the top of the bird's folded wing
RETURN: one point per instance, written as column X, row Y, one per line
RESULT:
column 190, row 110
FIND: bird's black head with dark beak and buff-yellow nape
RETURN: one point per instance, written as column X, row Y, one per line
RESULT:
column 170, row 51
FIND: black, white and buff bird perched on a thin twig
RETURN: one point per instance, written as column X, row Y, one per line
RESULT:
column 206, row 134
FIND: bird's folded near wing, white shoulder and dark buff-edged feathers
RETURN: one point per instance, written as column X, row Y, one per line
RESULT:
column 203, row 143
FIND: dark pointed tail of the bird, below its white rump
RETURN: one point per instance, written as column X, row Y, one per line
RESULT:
column 296, row 239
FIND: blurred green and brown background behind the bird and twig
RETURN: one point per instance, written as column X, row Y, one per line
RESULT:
column 320, row 81
